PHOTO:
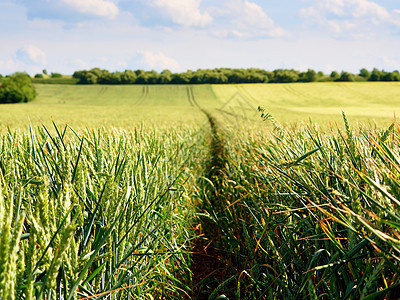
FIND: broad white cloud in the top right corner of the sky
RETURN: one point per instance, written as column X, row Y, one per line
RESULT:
column 350, row 17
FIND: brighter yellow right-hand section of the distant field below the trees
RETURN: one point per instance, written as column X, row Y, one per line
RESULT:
column 321, row 101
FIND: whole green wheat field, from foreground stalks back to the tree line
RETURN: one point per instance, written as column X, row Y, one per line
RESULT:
column 279, row 191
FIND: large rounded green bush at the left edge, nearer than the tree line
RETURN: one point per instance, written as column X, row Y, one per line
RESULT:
column 17, row 88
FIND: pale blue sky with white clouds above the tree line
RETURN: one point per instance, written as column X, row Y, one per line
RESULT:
column 67, row 35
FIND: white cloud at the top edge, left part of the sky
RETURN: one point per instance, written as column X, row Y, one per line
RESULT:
column 100, row 8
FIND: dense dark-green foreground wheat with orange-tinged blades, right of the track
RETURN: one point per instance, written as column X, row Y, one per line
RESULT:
column 304, row 213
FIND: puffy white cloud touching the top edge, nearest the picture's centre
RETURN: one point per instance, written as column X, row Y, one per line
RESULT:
column 186, row 13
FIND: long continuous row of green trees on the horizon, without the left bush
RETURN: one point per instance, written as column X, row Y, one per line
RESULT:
column 227, row 76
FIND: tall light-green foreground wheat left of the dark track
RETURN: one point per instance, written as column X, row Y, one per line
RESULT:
column 91, row 216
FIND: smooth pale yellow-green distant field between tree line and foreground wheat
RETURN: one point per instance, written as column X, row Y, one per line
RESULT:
column 129, row 105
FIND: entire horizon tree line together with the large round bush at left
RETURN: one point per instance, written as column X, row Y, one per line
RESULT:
column 18, row 87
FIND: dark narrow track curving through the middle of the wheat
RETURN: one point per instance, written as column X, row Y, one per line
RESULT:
column 208, row 262
